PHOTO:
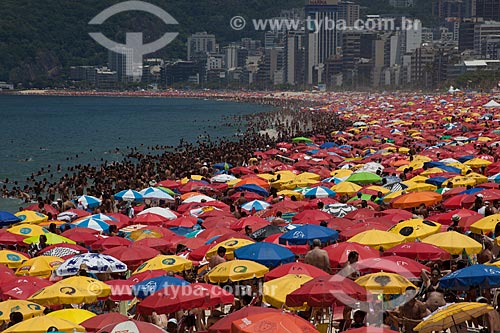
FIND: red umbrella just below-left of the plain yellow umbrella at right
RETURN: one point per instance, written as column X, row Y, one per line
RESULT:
column 418, row 251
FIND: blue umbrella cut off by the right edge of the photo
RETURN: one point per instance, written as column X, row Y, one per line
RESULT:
column 476, row 275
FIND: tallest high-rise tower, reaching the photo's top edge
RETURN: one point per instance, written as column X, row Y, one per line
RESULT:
column 321, row 39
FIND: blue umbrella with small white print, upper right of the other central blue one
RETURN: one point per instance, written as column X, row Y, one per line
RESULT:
column 307, row 233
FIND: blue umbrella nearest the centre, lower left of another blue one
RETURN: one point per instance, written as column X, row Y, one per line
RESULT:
column 267, row 254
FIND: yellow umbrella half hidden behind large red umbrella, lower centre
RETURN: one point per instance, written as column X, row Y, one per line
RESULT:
column 275, row 291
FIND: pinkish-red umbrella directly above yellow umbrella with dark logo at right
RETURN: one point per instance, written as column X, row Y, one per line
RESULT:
column 406, row 267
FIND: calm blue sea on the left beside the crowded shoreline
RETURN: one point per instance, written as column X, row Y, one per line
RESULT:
column 38, row 131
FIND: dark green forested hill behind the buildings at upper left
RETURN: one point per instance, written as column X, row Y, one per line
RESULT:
column 40, row 38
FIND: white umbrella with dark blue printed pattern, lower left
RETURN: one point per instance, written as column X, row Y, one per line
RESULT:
column 92, row 263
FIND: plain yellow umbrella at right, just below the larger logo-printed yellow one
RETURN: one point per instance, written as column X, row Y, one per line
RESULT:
column 454, row 242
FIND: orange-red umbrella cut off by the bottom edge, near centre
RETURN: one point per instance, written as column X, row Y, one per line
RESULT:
column 281, row 322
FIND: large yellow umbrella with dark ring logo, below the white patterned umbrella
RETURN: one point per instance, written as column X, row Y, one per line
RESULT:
column 73, row 290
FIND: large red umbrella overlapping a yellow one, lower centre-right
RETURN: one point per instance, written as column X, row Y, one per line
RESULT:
column 325, row 291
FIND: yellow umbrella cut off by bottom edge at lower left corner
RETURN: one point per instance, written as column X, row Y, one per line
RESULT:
column 42, row 324
